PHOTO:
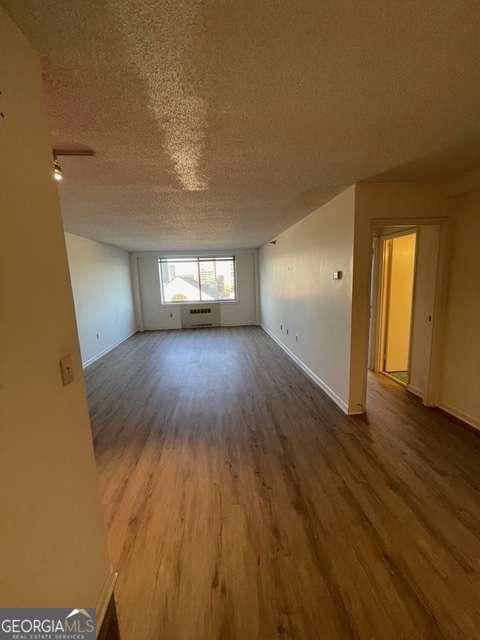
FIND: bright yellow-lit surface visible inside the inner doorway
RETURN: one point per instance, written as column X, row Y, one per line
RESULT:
column 402, row 263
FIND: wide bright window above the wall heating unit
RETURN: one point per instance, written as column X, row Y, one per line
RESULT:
column 197, row 279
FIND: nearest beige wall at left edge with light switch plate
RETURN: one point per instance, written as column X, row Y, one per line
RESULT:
column 52, row 550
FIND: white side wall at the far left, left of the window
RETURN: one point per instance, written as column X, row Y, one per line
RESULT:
column 102, row 291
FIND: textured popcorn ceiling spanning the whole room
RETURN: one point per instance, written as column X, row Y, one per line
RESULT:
column 218, row 124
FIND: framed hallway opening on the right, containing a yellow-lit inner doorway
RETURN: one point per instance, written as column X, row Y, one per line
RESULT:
column 424, row 310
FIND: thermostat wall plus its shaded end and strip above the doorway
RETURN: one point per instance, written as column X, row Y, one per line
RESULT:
column 315, row 245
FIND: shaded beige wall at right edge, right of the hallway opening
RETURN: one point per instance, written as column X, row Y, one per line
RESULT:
column 460, row 388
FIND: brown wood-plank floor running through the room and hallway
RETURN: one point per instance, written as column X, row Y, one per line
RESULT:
column 240, row 502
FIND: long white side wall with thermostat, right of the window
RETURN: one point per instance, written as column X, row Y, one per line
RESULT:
column 297, row 291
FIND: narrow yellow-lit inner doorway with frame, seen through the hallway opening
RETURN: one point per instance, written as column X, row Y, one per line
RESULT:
column 398, row 283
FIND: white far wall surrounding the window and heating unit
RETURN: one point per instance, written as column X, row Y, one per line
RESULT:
column 152, row 314
